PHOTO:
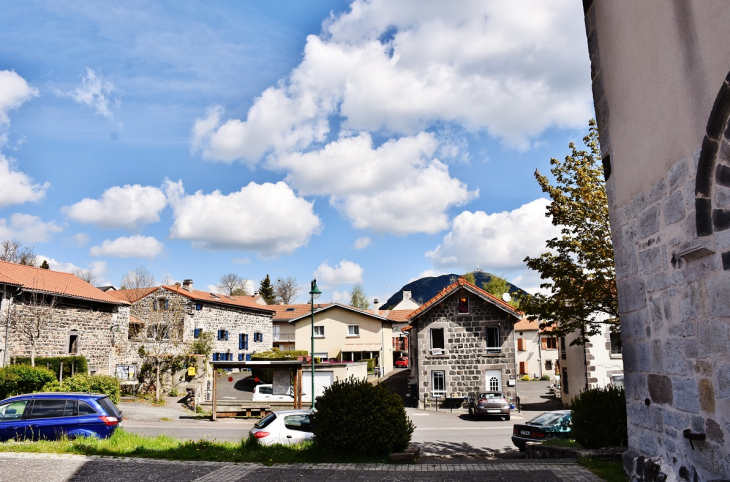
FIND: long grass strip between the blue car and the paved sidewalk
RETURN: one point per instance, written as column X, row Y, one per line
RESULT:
column 125, row 444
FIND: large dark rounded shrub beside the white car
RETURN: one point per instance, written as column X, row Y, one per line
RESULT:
column 357, row 417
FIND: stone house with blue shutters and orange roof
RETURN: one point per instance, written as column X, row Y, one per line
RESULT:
column 240, row 325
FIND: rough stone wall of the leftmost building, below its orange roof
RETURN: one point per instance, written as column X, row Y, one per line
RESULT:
column 95, row 324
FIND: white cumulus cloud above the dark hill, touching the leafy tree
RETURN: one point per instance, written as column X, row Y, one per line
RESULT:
column 497, row 241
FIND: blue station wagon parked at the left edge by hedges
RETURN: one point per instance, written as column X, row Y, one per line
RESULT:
column 50, row 416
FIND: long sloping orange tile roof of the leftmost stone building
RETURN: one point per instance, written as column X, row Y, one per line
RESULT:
column 53, row 282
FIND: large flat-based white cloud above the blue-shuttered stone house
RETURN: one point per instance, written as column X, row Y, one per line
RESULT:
column 266, row 218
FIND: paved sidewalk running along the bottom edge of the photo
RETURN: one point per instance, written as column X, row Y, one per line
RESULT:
column 62, row 468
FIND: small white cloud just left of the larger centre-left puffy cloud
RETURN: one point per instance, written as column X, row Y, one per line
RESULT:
column 127, row 206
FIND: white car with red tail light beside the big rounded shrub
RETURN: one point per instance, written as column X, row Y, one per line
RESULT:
column 285, row 427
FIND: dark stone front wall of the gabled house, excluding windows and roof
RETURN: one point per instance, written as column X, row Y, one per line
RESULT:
column 466, row 359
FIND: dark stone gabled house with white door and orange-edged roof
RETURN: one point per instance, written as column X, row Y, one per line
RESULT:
column 462, row 341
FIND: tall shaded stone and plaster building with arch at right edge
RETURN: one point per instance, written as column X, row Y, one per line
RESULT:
column 661, row 89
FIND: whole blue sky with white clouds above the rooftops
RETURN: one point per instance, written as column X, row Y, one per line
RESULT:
column 369, row 142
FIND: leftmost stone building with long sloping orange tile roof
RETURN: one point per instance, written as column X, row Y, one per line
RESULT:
column 75, row 317
